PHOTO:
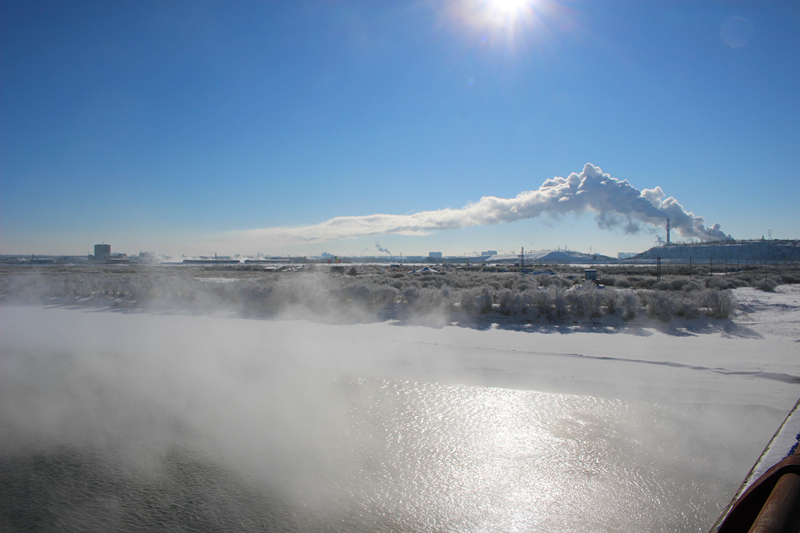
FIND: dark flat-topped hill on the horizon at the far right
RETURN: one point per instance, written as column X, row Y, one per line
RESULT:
column 764, row 250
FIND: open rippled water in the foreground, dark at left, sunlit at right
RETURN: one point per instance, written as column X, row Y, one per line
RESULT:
column 390, row 455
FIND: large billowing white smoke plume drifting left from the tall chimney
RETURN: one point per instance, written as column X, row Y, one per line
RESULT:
column 616, row 203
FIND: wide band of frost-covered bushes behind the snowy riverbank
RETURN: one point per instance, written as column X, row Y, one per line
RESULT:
column 375, row 289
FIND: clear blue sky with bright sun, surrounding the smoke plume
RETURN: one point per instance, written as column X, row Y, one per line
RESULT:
column 201, row 127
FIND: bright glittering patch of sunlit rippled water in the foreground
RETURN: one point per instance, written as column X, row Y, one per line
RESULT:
column 479, row 459
